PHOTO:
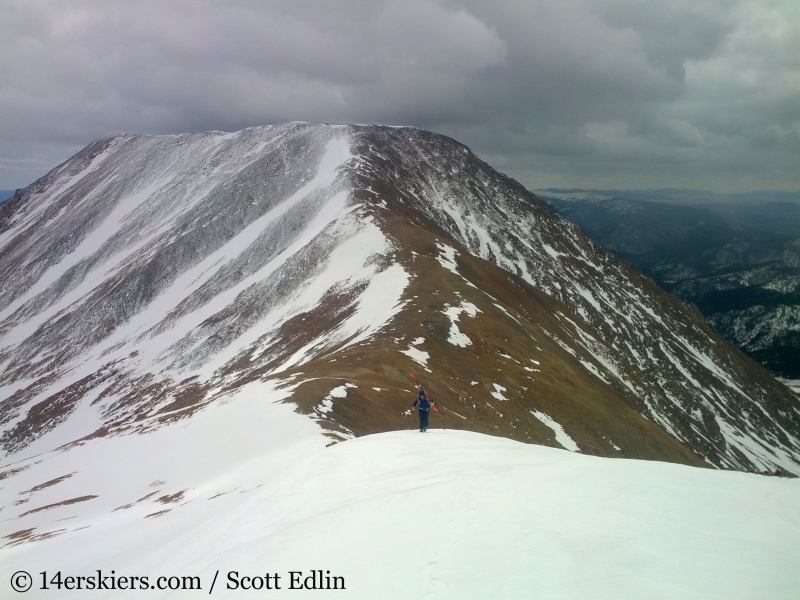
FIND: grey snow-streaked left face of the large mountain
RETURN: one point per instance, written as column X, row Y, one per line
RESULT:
column 176, row 255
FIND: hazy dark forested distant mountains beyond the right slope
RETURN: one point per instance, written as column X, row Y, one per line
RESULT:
column 736, row 256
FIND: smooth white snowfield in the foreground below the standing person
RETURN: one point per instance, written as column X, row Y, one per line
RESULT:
column 249, row 486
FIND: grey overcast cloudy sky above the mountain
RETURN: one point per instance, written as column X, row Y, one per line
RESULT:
column 564, row 93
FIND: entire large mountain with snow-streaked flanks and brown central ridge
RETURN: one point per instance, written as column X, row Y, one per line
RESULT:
column 151, row 276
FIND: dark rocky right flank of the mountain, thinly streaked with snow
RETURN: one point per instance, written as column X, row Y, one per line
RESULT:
column 631, row 334
